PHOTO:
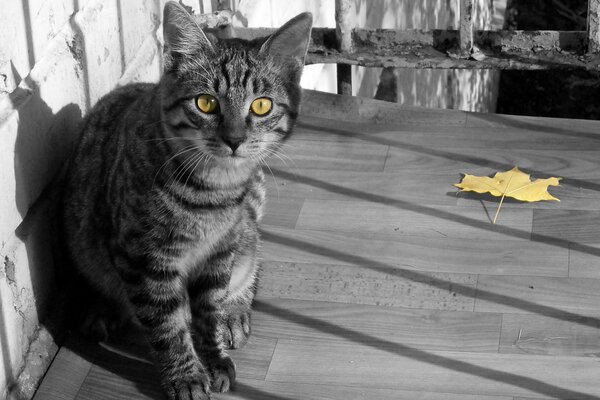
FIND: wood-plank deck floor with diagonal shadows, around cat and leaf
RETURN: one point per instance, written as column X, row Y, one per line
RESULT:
column 379, row 282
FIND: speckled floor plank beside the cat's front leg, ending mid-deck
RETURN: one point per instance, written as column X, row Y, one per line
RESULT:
column 361, row 285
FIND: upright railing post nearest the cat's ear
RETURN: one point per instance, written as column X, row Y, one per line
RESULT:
column 344, row 15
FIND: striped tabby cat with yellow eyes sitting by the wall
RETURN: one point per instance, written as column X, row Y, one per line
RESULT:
column 164, row 193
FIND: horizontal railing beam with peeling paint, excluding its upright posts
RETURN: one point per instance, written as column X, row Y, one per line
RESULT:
column 526, row 50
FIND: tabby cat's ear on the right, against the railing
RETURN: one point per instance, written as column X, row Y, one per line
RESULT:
column 291, row 40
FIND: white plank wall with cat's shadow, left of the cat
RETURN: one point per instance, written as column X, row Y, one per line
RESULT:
column 63, row 55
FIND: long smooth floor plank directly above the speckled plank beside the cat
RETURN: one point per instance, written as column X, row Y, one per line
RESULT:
column 435, row 254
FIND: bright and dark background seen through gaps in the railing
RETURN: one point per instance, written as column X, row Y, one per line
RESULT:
column 572, row 94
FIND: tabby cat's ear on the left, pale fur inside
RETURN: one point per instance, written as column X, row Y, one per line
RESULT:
column 182, row 35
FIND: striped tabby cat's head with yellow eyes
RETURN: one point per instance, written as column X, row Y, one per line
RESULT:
column 236, row 100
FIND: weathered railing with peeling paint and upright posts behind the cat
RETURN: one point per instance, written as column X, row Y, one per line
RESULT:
column 463, row 48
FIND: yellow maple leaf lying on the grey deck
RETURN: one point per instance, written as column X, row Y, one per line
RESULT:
column 514, row 183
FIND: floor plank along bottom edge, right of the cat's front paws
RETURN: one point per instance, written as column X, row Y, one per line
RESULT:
column 255, row 390
